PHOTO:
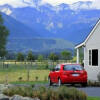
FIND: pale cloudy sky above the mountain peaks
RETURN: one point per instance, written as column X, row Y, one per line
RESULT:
column 21, row 3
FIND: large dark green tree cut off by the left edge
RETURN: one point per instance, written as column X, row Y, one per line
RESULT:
column 3, row 37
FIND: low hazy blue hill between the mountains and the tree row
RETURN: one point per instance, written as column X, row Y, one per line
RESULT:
column 39, row 45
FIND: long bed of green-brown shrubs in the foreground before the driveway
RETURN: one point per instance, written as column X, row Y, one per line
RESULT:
column 62, row 93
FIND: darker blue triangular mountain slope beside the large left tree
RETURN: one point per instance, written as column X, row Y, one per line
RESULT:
column 18, row 29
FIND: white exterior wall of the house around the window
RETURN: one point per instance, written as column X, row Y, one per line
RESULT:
column 92, row 43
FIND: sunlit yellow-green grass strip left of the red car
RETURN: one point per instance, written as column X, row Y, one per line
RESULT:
column 14, row 76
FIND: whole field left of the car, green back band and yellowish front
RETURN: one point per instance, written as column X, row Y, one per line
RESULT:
column 20, row 69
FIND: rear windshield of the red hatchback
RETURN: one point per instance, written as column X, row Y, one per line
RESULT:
column 72, row 67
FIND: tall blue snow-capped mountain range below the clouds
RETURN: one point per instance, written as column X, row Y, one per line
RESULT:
column 61, row 21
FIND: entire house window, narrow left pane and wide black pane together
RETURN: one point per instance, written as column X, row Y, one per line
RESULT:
column 93, row 57
